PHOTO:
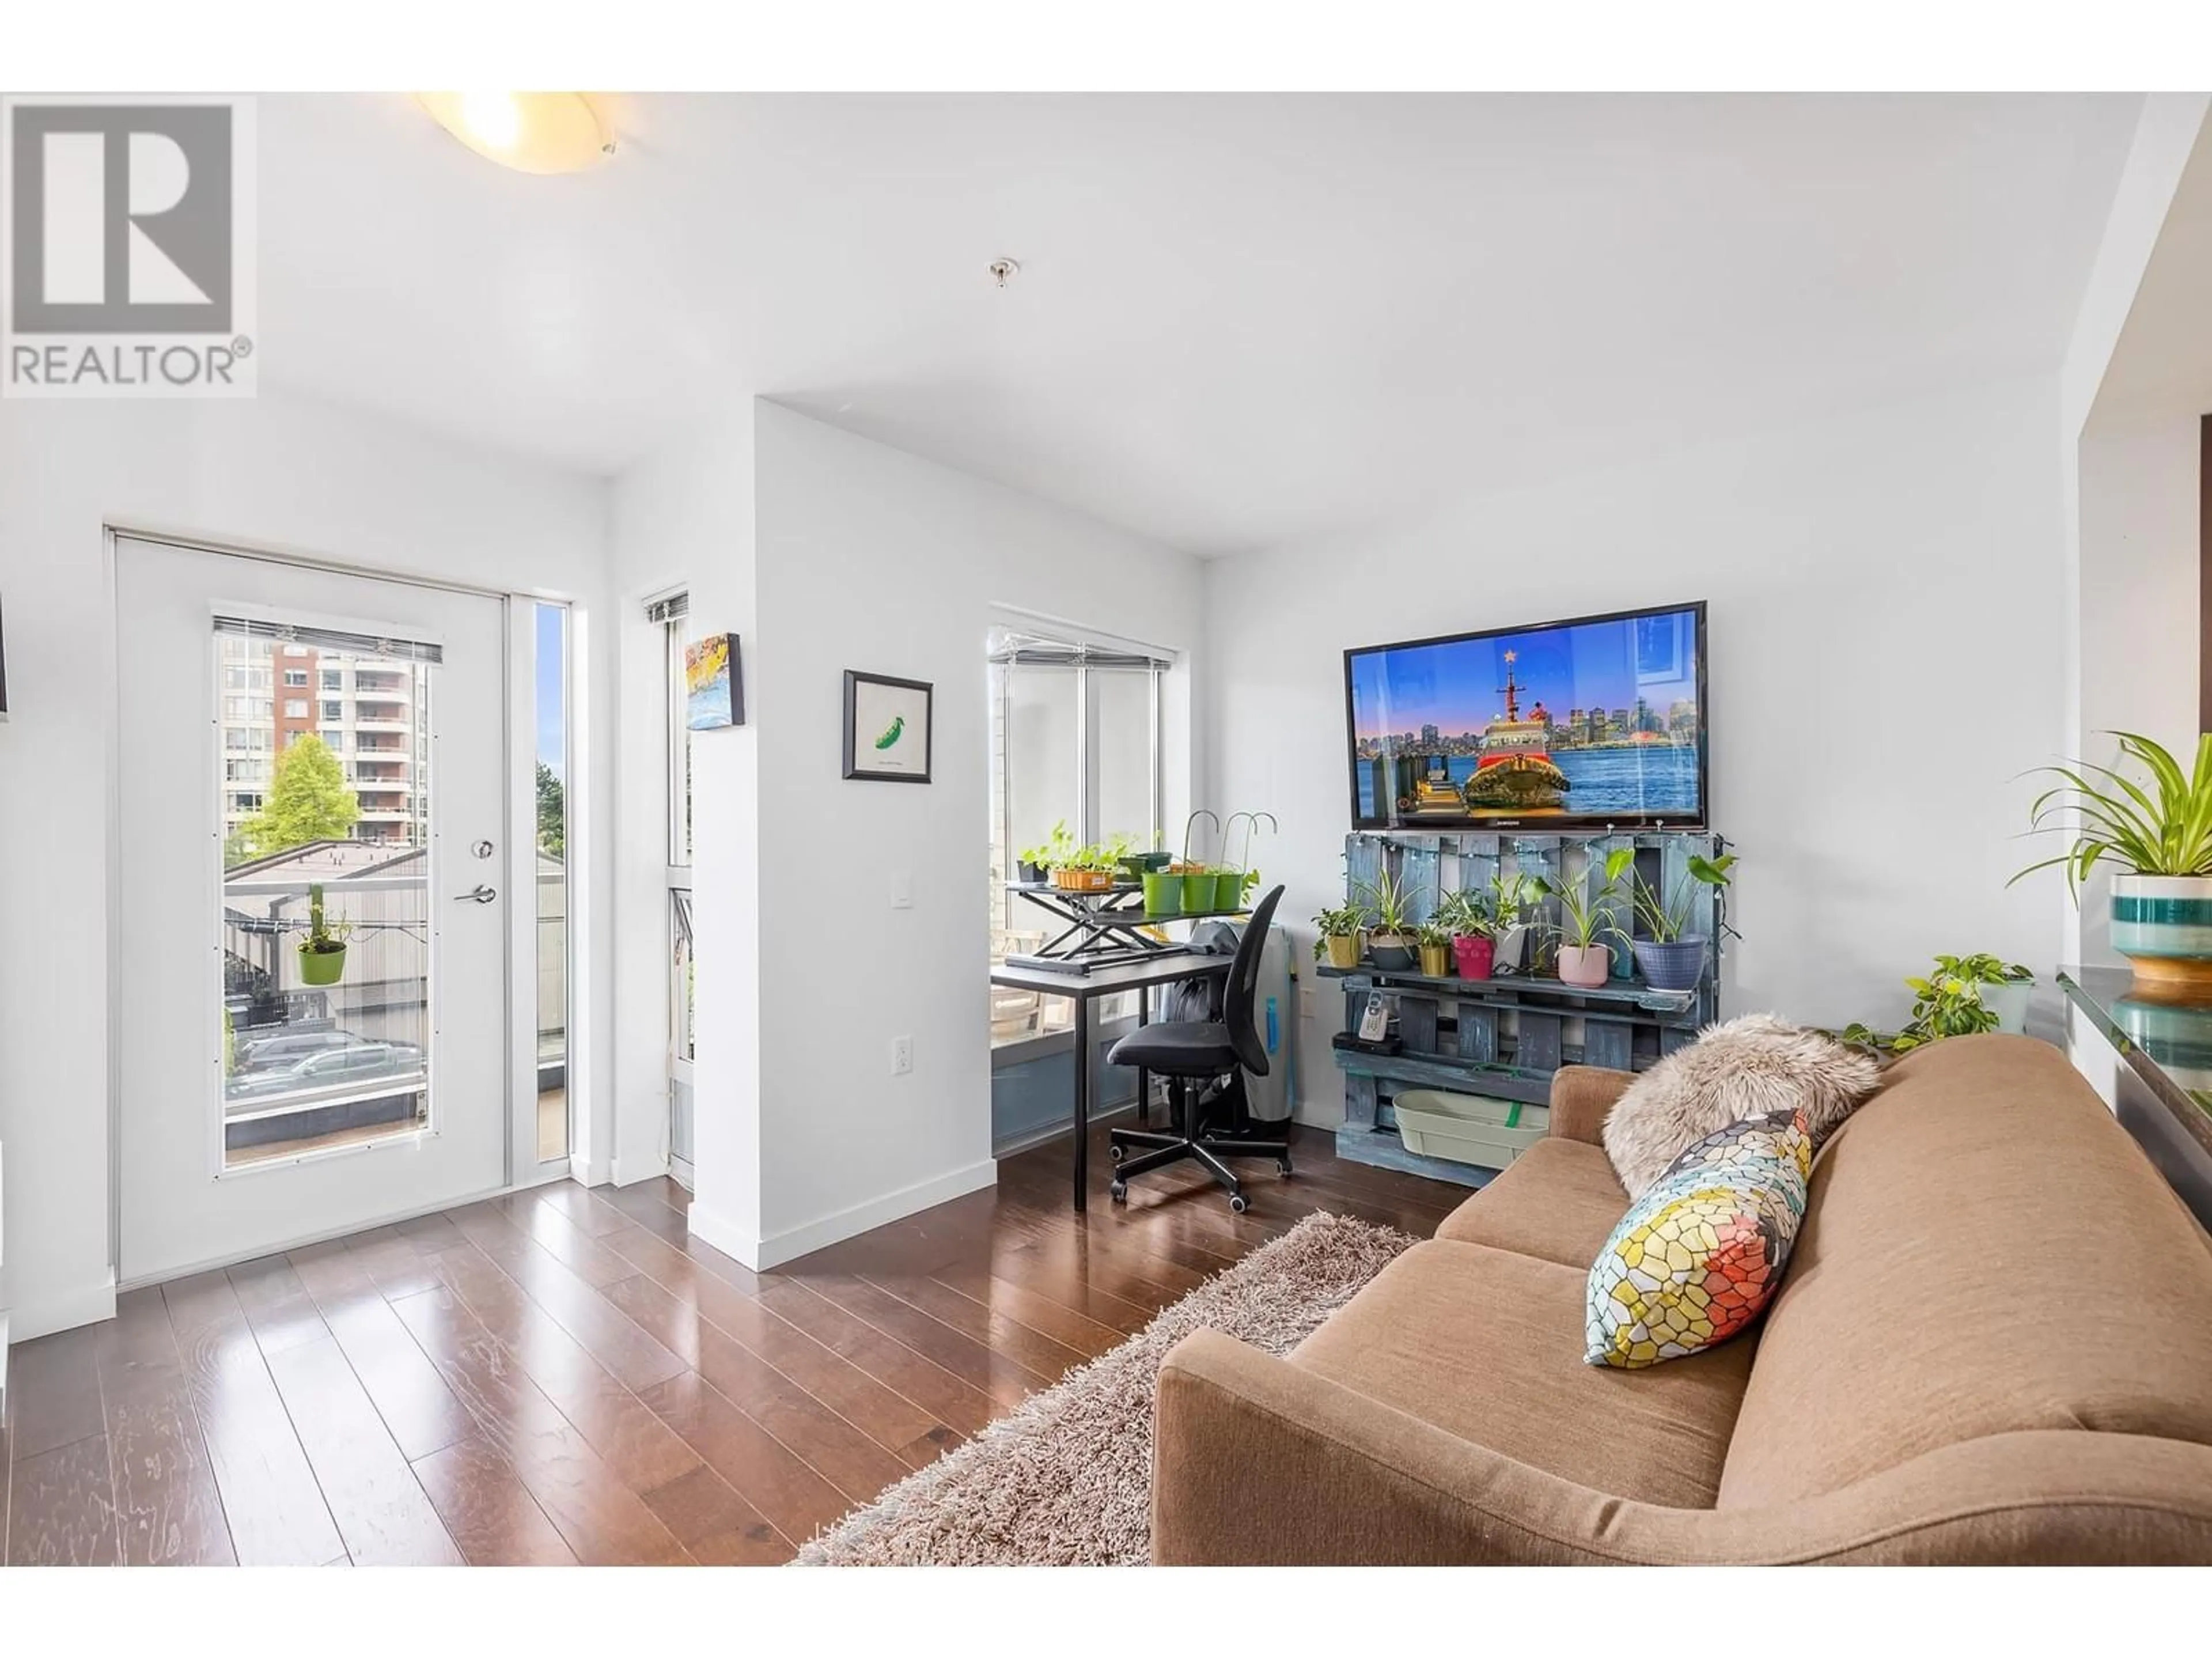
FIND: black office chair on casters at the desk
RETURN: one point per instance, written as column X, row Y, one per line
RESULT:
column 1191, row 1052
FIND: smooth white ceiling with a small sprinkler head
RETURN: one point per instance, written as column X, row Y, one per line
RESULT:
column 1240, row 320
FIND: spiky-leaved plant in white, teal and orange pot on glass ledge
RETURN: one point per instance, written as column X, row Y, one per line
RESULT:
column 2160, row 844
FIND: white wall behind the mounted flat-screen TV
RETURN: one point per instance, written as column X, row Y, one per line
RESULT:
column 1886, row 627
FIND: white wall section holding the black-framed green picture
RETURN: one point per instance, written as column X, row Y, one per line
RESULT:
column 873, row 559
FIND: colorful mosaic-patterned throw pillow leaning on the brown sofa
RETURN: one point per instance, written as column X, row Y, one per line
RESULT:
column 1704, row 1249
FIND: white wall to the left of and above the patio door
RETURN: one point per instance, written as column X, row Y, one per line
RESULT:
column 273, row 472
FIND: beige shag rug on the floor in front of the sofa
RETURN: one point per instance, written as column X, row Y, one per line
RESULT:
column 1067, row 1481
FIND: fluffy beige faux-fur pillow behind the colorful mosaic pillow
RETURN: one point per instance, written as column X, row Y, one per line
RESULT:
column 1740, row 1070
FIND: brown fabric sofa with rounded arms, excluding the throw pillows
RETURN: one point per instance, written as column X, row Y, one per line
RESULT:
column 1994, row 1346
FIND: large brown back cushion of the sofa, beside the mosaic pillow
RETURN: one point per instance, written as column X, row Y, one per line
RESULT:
column 1985, row 1251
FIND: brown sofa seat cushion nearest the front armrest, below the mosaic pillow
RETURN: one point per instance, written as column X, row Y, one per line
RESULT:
column 1488, row 1346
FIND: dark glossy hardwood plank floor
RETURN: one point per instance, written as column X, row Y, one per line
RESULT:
column 567, row 1377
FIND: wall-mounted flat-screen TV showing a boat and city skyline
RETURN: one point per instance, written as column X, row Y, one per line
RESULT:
column 1556, row 727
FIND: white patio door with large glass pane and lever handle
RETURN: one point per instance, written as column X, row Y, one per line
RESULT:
column 311, row 950
